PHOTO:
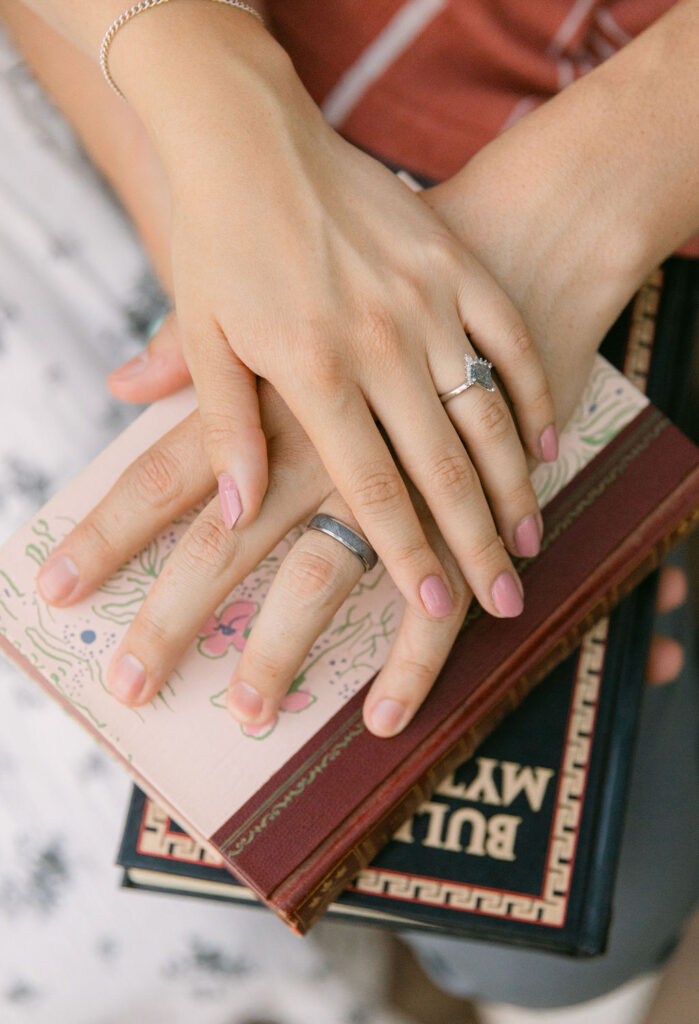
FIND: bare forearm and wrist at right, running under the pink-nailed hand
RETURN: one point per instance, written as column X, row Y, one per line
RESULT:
column 573, row 207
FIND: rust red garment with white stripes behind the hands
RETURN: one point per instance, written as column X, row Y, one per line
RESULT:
column 426, row 83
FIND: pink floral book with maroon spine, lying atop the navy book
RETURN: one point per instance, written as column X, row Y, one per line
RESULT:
column 298, row 812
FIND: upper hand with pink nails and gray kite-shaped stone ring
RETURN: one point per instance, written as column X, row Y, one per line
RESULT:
column 302, row 261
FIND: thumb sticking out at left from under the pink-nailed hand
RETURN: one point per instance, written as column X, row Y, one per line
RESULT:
column 158, row 371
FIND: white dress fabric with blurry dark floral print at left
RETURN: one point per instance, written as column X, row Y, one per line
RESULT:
column 76, row 300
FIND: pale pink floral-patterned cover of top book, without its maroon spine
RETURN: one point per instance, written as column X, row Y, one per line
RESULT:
column 184, row 748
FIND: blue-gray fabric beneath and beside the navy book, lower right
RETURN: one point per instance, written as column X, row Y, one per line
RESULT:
column 658, row 883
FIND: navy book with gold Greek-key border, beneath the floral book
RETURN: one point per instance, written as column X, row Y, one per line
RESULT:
column 520, row 843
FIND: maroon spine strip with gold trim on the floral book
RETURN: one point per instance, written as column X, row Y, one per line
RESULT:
column 321, row 820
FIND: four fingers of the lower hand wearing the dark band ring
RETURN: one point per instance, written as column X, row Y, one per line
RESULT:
column 209, row 561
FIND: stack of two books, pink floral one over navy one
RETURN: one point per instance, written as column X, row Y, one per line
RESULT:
column 517, row 844
